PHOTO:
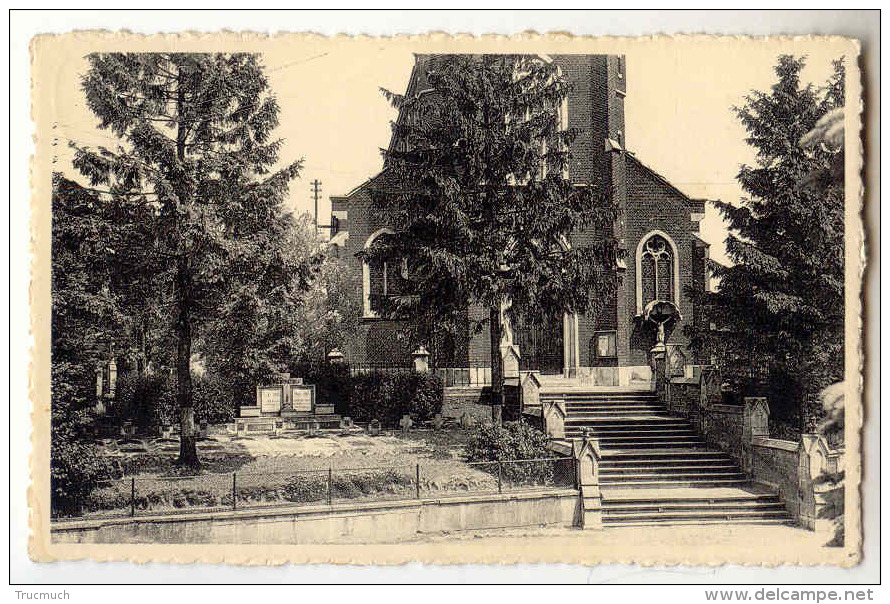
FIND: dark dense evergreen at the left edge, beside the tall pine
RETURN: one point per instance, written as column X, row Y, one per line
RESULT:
column 86, row 315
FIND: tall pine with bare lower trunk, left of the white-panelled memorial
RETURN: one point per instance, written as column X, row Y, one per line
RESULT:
column 196, row 146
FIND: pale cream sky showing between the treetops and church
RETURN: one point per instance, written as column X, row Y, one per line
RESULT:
column 678, row 112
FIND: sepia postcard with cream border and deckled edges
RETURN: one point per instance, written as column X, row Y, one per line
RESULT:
column 446, row 299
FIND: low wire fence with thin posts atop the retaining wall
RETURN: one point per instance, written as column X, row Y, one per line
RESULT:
column 148, row 495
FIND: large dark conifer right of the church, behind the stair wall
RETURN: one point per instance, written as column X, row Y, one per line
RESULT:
column 783, row 297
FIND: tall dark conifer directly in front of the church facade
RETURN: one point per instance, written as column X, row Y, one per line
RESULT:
column 475, row 190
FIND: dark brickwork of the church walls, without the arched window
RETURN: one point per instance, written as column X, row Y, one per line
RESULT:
column 596, row 110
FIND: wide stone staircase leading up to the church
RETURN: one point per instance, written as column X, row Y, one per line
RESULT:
column 656, row 470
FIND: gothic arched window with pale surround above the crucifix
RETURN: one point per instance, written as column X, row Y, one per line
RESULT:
column 657, row 264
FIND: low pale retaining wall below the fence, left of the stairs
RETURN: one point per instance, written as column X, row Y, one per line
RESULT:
column 368, row 522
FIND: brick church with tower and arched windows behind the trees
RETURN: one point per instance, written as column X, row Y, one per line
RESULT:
column 657, row 226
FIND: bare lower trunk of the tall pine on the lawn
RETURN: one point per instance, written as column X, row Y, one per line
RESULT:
column 188, row 451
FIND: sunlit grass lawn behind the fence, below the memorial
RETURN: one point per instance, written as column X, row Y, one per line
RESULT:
column 290, row 469
